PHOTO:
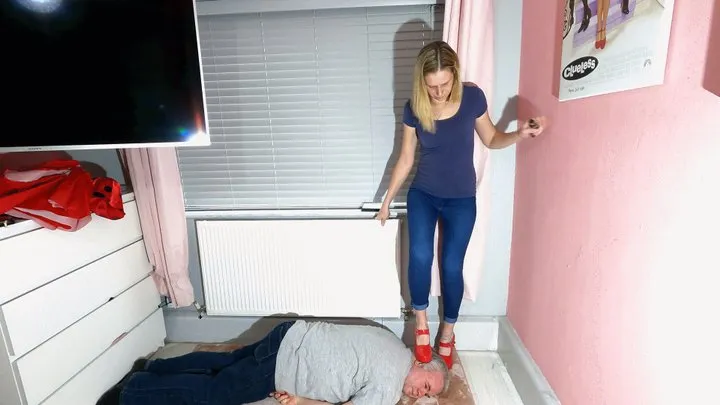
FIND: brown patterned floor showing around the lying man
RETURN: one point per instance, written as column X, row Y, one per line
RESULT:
column 458, row 393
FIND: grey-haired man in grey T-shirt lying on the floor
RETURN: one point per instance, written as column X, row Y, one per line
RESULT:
column 299, row 363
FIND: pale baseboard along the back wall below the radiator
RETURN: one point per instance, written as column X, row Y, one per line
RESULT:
column 476, row 333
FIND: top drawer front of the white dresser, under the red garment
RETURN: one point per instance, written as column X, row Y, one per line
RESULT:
column 35, row 258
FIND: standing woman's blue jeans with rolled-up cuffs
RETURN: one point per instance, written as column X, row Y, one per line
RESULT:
column 457, row 219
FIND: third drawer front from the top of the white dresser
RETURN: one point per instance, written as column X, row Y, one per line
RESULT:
column 52, row 364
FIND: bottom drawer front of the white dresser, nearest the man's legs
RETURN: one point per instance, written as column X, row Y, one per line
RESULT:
column 105, row 371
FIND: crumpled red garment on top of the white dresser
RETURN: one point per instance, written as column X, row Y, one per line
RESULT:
column 58, row 194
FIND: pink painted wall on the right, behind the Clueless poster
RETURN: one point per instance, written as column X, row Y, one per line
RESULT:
column 615, row 266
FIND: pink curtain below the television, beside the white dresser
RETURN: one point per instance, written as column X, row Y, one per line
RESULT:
column 155, row 178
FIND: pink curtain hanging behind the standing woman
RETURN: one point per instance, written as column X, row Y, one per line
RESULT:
column 469, row 29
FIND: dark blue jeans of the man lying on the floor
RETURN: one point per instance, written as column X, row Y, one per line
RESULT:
column 201, row 378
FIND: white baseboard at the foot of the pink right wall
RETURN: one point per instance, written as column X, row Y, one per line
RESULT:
column 530, row 383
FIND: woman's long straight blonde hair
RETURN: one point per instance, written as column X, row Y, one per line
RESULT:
column 433, row 57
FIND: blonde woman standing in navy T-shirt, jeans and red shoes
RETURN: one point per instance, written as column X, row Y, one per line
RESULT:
column 443, row 115
